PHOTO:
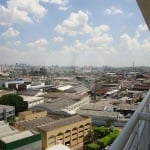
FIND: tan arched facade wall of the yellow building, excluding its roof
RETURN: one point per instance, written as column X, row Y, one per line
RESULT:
column 71, row 135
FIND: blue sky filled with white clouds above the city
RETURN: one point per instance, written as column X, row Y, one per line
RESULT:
column 73, row 32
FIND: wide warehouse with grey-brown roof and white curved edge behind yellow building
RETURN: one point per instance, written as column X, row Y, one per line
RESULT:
column 66, row 105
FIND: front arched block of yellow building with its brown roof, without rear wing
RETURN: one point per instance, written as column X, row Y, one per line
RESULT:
column 69, row 131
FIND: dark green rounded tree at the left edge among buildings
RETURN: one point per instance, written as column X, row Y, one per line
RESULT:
column 14, row 100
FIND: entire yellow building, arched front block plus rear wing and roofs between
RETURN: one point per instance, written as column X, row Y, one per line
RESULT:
column 70, row 131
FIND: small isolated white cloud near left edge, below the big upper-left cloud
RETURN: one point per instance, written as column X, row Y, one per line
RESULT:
column 11, row 32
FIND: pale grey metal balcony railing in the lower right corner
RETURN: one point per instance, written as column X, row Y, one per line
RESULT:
column 136, row 133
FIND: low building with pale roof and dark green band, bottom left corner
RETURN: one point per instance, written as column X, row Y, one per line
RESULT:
column 11, row 138
